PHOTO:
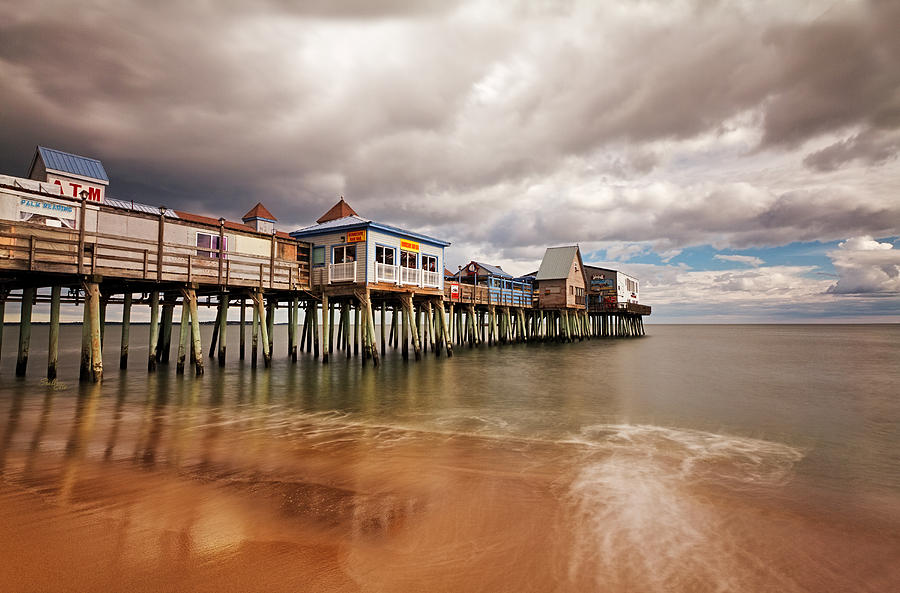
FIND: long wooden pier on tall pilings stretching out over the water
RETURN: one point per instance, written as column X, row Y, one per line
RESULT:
column 113, row 253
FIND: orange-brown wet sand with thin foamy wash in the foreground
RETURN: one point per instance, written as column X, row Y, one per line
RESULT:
column 170, row 496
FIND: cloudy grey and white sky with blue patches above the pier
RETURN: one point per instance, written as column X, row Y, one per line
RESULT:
column 739, row 158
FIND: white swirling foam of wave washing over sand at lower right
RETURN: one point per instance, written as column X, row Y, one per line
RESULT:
column 638, row 518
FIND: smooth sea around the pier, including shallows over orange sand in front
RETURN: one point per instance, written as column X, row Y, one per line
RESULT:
column 727, row 458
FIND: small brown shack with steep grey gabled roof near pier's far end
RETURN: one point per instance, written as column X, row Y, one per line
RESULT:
column 560, row 280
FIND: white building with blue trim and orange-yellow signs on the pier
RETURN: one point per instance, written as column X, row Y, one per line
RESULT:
column 349, row 251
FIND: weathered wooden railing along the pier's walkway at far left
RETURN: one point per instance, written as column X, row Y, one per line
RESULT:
column 39, row 248
